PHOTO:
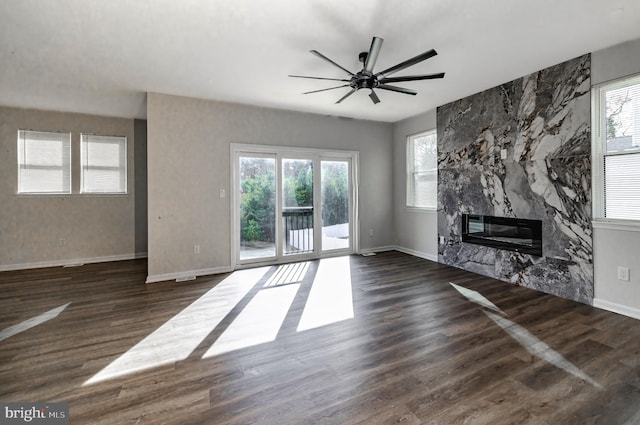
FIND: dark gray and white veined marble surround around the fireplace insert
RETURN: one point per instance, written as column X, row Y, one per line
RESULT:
column 523, row 150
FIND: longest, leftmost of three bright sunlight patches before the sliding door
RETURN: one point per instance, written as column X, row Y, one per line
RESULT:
column 176, row 339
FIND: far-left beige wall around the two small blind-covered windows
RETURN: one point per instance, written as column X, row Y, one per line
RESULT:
column 95, row 228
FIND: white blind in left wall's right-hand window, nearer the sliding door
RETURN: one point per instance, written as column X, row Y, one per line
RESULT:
column 103, row 164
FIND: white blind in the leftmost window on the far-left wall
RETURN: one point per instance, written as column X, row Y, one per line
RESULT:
column 44, row 162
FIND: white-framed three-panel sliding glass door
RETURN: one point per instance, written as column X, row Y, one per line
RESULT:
column 292, row 204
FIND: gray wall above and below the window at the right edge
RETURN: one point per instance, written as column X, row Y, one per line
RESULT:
column 616, row 245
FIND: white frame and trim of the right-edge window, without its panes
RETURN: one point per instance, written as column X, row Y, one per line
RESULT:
column 599, row 149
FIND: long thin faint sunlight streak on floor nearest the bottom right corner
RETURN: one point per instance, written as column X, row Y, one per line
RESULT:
column 538, row 348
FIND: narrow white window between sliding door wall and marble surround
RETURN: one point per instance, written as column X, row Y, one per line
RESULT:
column 422, row 170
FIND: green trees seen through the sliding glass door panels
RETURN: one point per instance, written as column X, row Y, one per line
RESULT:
column 258, row 197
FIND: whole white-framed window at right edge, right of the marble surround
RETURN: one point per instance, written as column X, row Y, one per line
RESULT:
column 616, row 149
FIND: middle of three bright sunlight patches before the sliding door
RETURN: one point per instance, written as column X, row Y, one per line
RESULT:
column 259, row 322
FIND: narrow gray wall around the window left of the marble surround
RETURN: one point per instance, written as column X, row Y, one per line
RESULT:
column 416, row 230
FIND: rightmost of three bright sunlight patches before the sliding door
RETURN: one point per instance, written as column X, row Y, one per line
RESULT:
column 330, row 299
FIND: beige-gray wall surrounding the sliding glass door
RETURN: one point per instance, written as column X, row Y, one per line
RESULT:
column 189, row 162
